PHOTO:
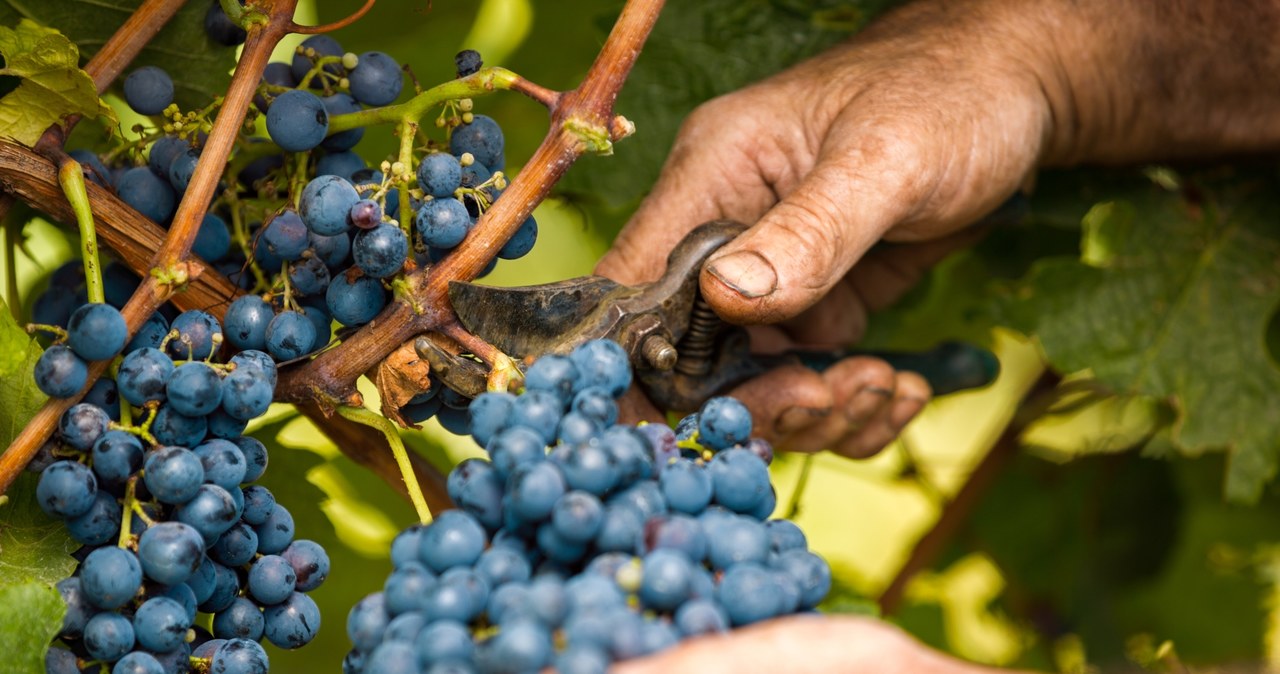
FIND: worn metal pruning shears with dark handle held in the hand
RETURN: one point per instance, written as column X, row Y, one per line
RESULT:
column 683, row 354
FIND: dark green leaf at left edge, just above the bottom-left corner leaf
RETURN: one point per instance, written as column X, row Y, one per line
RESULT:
column 34, row 547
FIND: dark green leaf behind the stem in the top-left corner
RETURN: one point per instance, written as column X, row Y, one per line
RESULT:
column 200, row 67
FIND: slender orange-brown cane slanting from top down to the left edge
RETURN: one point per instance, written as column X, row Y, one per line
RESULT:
column 172, row 270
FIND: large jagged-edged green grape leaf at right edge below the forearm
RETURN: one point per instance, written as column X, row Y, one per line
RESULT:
column 1172, row 299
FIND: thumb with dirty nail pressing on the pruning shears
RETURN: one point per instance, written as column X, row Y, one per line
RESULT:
column 806, row 244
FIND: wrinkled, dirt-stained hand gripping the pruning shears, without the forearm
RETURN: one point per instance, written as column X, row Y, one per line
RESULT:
column 903, row 136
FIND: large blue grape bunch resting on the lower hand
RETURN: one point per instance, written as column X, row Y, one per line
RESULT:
column 583, row 543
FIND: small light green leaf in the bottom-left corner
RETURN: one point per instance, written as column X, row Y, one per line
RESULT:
column 31, row 616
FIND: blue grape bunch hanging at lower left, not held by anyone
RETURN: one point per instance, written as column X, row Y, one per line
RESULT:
column 199, row 537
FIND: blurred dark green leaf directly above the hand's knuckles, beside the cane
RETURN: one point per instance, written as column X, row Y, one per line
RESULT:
column 697, row 52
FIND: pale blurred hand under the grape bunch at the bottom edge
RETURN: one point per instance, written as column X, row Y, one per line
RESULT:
column 804, row 645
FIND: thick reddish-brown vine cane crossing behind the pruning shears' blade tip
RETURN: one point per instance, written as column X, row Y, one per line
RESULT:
column 582, row 121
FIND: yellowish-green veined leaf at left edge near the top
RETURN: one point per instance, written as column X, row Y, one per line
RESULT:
column 53, row 86
